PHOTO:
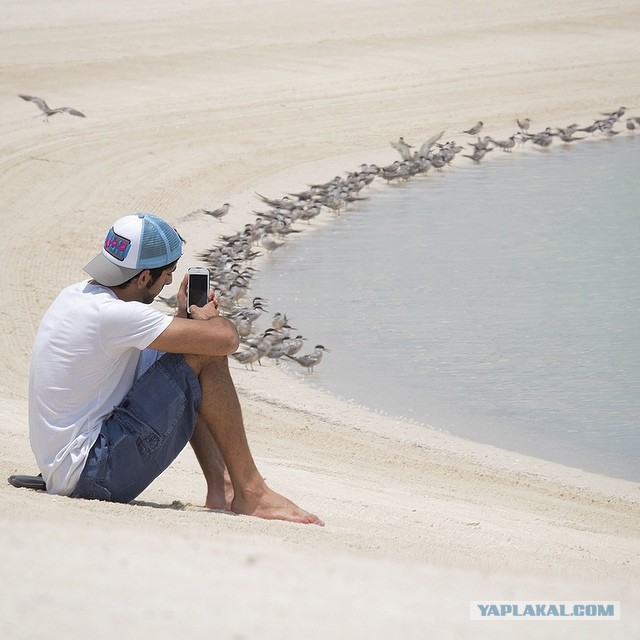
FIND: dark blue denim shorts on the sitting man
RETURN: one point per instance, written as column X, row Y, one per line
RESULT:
column 144, row 434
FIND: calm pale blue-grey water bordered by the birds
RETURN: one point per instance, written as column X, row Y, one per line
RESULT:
column 499, row 302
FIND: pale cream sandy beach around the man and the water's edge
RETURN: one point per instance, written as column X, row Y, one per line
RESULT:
column 194, row 103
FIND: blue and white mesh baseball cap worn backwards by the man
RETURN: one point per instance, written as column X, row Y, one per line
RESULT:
column 134, row 243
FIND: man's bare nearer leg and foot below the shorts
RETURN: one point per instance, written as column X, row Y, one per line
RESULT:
column 221, row 413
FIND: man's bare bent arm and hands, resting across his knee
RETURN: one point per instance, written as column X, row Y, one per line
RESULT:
column 206, row 333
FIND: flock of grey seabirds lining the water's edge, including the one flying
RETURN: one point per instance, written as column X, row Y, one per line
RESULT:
column 229, row 261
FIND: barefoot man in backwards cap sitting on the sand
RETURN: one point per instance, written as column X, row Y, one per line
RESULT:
column 118, row 388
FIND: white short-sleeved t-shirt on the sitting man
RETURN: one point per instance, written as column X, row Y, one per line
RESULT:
column 83, row 364
